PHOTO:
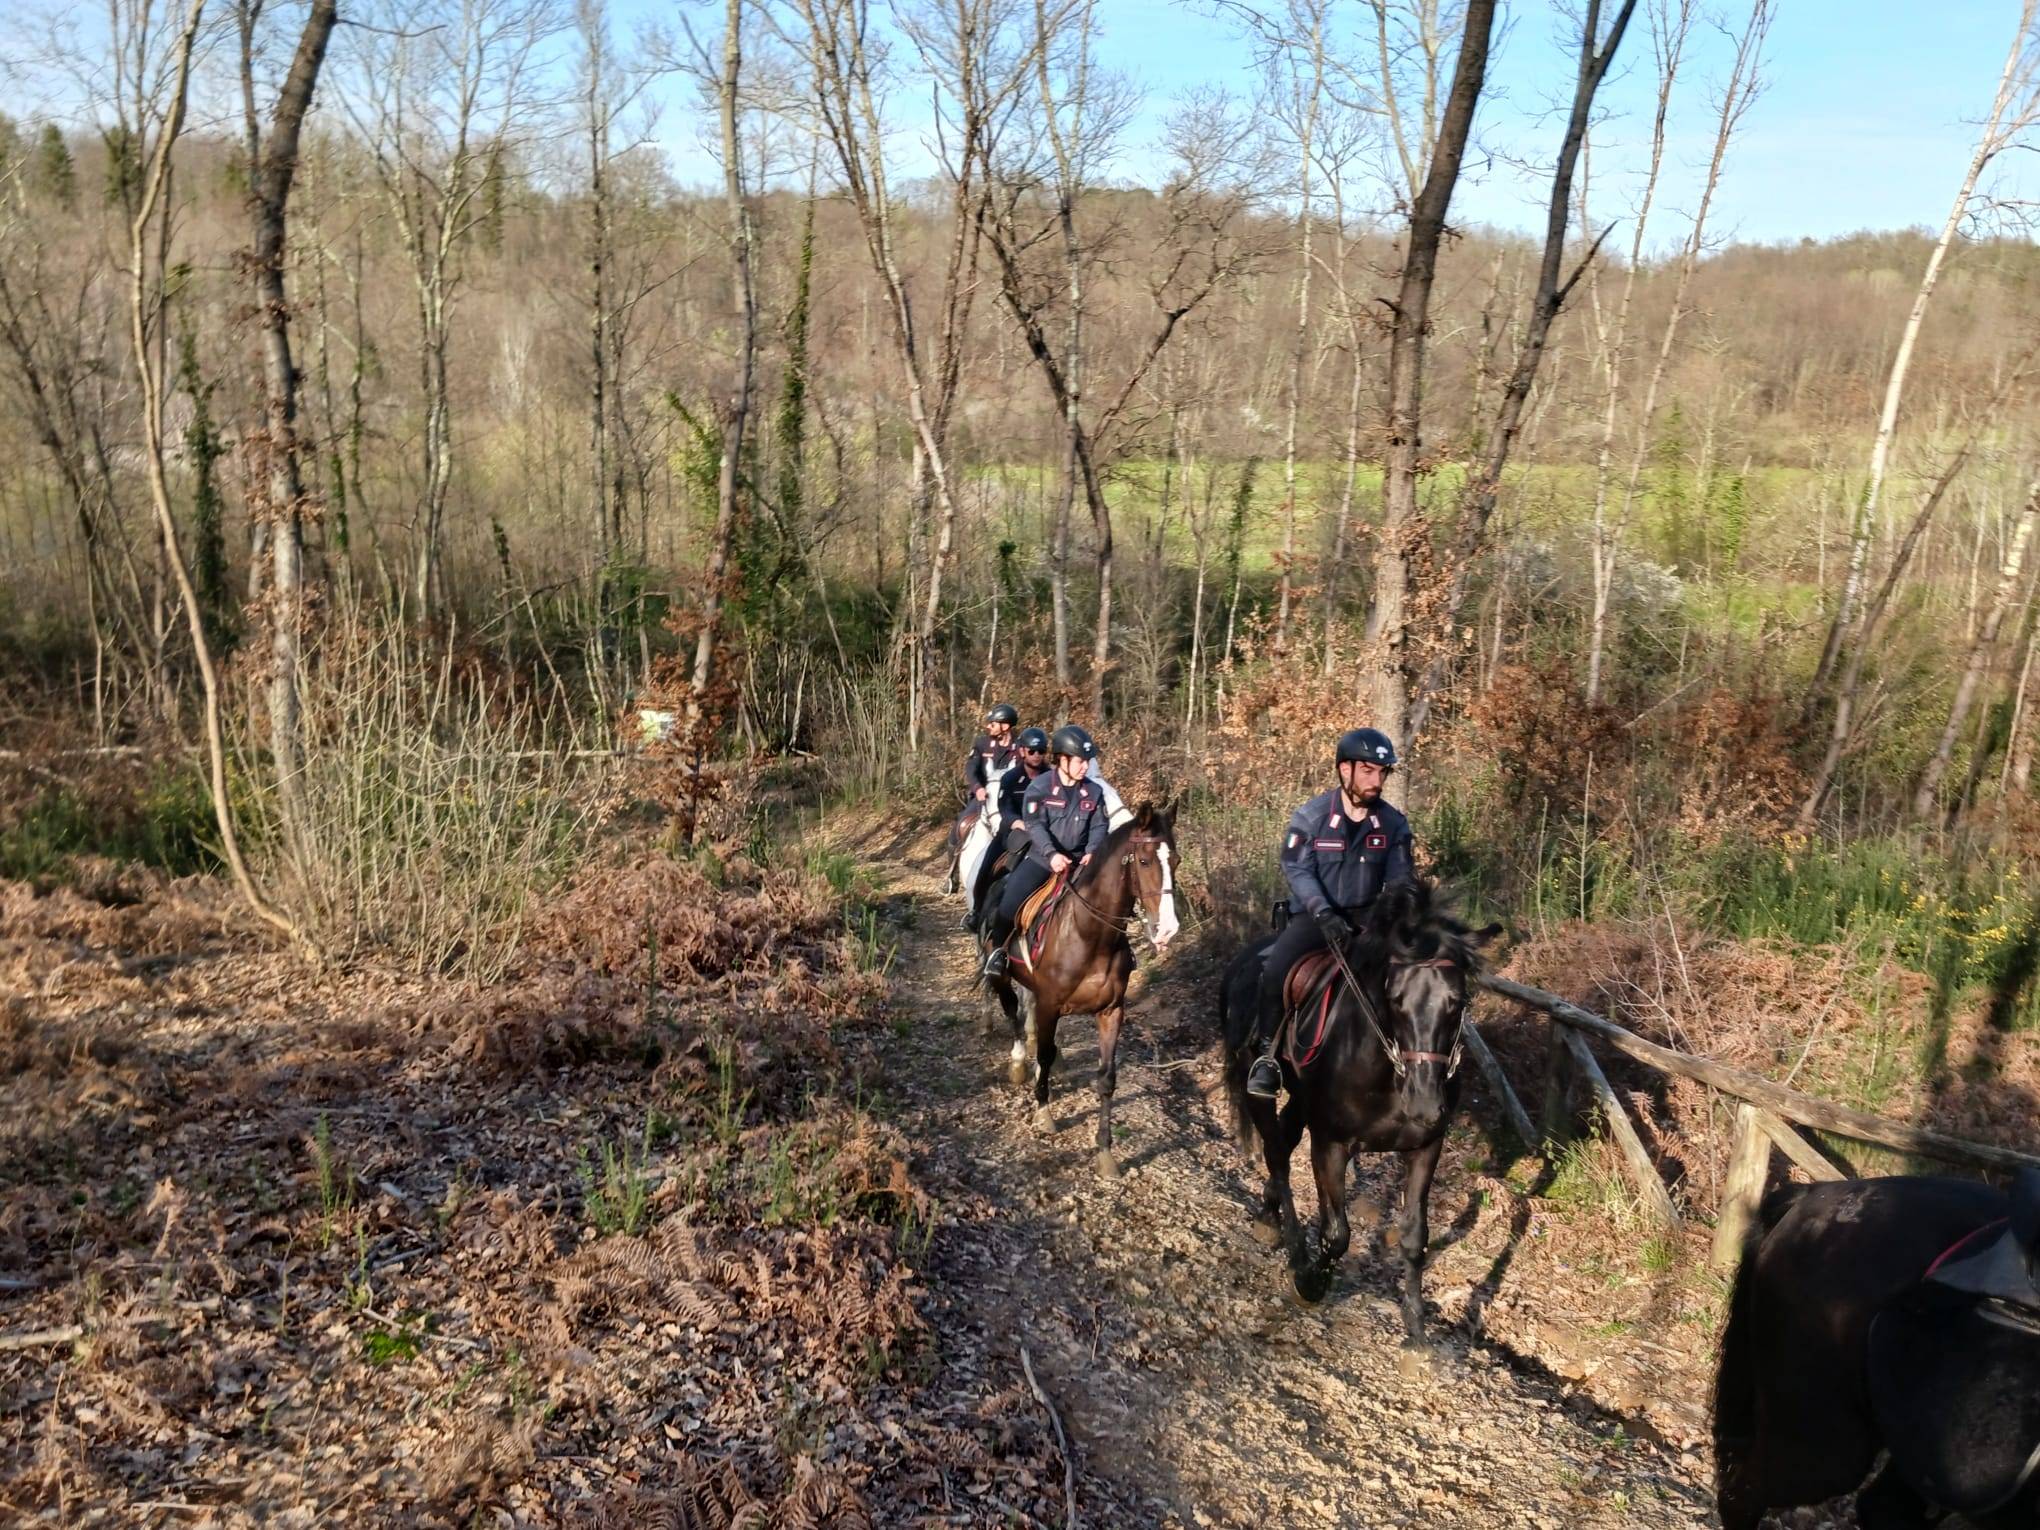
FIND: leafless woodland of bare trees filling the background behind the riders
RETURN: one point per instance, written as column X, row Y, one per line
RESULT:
column 342, row 340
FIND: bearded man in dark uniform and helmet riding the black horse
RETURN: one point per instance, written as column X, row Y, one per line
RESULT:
column 1341, row 850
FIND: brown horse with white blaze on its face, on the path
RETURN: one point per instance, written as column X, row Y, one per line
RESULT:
column 1086, row 958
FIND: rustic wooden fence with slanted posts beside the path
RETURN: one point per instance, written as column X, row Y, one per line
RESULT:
column 1768, row 1119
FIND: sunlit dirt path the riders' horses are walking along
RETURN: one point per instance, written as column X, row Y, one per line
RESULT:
column 1194, row 1388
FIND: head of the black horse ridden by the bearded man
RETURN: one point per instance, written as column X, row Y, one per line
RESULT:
column 1429, row 960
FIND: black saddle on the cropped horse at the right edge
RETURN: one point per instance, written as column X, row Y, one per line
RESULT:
column 1955, row 1366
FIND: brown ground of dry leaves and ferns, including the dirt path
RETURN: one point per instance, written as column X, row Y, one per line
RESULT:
column 633, row 1245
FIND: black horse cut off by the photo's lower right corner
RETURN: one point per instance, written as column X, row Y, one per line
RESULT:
column 1888, row 1319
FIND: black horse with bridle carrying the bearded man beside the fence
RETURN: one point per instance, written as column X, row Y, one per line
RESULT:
column 1384, row 1080
